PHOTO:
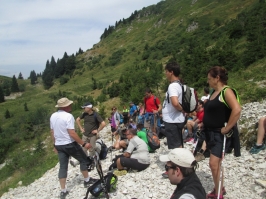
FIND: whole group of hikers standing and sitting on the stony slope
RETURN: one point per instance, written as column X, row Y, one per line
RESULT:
column 211, row 126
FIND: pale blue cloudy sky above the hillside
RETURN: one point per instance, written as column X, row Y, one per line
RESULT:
column 32, row 31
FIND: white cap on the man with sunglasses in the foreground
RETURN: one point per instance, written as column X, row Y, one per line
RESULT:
column 180, row 156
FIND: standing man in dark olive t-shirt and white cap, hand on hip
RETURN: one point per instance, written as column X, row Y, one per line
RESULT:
column 93, row 124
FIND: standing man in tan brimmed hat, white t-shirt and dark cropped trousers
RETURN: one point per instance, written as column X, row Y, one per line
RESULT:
column 67, row 143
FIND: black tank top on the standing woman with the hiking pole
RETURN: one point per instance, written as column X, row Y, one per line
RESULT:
column 216, row 113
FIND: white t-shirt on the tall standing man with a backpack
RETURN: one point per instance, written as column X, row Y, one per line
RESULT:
column 170, row 113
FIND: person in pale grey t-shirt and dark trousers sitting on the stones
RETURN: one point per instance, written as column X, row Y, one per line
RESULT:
column 135, row 157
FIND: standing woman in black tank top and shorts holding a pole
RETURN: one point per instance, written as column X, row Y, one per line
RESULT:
column 216, row 114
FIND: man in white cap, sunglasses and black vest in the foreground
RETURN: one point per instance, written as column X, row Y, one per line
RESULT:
column 181, row 166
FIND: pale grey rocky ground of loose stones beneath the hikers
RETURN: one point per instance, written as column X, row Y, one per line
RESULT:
column 245, row 176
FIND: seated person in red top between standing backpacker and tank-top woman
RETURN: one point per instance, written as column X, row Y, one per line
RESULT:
column 193, row 125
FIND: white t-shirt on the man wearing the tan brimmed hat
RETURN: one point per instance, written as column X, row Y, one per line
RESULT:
column 60, row 122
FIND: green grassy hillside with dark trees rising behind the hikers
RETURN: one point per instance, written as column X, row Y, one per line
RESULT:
column 129, row 58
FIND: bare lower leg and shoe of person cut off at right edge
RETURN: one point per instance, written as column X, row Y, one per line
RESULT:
column 259, row 145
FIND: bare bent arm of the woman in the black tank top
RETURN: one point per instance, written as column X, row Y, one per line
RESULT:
column 235, row 113
